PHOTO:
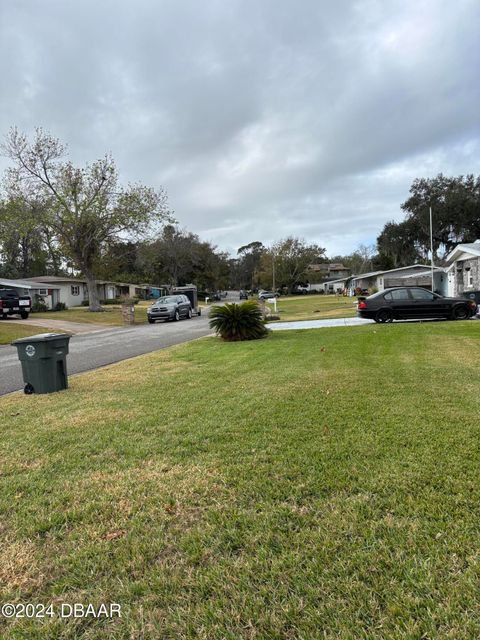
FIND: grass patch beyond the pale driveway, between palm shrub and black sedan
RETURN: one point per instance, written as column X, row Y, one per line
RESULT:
column 314, row 307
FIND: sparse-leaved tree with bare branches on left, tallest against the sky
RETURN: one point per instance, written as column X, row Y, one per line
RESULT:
column 87, row 208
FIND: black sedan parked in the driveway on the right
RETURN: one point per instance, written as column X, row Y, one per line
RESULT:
column 401, row 303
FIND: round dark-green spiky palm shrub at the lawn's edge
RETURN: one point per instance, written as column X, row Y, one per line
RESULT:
column 234, row 322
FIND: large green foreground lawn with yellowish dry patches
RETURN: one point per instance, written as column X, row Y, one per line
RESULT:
column 316, row 484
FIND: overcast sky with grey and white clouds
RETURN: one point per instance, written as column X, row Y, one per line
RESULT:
column 261, row 118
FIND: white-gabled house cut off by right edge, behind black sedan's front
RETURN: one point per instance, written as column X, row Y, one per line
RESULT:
column 463, row 270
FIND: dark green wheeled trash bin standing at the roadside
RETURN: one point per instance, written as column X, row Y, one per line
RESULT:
column 44, row 362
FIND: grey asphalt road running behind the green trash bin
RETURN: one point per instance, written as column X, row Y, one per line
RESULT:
column 89, row 351
